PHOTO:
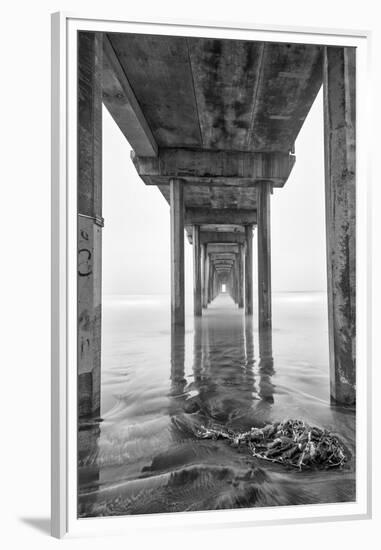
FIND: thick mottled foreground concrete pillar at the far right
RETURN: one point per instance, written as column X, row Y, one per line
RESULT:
column 339, row 78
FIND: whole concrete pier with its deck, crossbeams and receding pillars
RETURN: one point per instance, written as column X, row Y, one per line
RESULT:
column 212, row 123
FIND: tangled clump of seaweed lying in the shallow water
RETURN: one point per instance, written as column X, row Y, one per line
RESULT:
column 291, row 442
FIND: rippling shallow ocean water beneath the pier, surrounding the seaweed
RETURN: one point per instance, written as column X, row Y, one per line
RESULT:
column 142, row 456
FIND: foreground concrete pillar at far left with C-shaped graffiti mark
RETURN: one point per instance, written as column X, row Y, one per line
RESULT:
column 90, row 222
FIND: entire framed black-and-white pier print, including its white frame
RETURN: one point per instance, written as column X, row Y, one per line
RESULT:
column 211, row 296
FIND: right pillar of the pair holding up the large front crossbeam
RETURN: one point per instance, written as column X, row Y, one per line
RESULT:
column 264, row 266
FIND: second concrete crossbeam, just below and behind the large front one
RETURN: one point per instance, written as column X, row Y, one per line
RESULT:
column 201, row 216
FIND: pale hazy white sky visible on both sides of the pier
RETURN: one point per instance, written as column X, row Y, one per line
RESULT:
column 136, row 246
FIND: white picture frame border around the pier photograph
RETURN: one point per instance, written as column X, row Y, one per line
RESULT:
column 64, row 317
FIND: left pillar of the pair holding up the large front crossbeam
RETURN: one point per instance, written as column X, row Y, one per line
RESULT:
column 177, row 252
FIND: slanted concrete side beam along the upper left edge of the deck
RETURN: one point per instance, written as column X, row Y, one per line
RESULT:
column 123, row 106
